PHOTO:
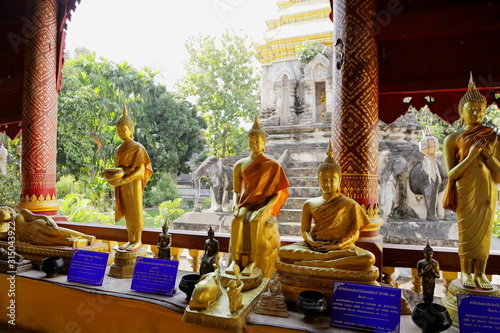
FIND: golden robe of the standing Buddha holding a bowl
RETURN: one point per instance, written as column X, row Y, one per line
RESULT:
column 130, row 155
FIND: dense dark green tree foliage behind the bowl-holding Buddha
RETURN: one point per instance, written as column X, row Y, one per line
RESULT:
column 91, row 101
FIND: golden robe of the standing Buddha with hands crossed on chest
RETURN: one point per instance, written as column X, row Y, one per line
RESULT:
column 473, row 195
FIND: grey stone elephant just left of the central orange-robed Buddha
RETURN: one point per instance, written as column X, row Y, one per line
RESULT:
column 220, row 180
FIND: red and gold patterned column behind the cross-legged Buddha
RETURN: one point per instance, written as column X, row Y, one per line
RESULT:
column 355, row 106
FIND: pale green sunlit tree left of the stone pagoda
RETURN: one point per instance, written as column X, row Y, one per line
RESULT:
column 223, row 81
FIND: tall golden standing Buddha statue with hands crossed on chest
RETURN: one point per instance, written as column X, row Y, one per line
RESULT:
column 471, row 157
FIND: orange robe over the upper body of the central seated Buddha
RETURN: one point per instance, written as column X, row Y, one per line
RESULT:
column 263, row 178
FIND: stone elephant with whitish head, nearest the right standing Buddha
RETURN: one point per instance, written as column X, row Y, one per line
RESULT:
column 428, row 178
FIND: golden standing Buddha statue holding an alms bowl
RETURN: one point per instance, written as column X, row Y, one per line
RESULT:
column 132, row 173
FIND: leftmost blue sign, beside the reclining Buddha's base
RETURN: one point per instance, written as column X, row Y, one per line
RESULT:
column 88, row 267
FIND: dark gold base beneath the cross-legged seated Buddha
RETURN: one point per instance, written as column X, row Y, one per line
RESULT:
column 296, row 279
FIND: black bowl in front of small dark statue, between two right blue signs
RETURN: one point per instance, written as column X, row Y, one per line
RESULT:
column 431, row 317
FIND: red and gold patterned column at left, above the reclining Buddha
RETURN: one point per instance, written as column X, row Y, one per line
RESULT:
column 38, row 192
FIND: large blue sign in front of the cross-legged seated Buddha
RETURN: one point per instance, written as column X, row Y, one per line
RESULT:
column 367, row 308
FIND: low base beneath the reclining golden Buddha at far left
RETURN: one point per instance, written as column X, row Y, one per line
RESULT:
column 36, row 253
